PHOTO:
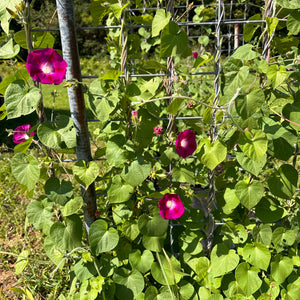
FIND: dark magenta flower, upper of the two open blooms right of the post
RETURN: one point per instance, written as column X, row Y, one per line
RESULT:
column 186, row 143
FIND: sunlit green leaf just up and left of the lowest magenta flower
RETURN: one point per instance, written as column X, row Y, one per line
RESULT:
column 137, row 172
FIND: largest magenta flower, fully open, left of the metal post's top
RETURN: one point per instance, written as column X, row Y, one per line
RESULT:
column 46, row 66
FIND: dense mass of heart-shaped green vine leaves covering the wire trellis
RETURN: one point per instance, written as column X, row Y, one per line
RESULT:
column 237, row 241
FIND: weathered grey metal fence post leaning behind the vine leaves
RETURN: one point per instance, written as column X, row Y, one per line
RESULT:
column 66, row 18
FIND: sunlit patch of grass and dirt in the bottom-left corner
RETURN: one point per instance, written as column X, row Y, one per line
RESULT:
column 14, row 239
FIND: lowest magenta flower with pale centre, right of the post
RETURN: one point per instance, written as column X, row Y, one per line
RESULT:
column 170, row 206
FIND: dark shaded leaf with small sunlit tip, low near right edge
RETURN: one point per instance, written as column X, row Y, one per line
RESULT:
column 270, row 210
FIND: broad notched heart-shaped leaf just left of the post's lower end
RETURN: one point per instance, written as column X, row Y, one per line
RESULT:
column 67, row 235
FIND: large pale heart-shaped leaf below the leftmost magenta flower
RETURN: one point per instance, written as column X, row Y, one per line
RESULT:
column 25, row 169
